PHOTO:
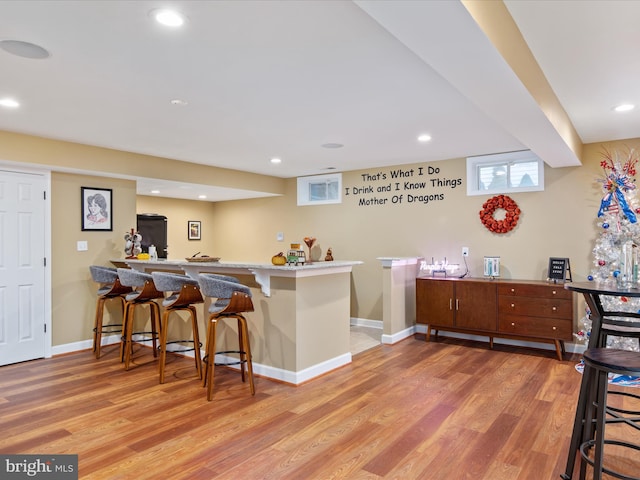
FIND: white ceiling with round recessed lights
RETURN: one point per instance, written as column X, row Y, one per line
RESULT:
column 264, row 79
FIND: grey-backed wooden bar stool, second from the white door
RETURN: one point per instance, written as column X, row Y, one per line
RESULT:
column 145, row 293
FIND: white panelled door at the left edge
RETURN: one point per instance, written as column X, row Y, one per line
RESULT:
column 22, row 270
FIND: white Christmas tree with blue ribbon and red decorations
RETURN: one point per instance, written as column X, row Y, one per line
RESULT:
column 617, row 250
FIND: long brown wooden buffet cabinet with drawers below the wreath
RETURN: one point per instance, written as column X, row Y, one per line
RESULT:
column 517, row 309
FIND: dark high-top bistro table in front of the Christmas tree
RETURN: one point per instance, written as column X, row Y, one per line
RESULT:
column 604, row 323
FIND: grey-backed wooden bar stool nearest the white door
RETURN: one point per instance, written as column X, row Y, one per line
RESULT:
column 110, row 288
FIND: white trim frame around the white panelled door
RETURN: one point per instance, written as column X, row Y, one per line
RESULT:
column 20, row 168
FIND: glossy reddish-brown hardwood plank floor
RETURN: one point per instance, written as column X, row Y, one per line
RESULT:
column 447, row 410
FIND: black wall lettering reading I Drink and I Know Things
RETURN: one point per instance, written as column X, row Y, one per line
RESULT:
column 416, row 185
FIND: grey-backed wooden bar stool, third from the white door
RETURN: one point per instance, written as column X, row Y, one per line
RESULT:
column 183, row 292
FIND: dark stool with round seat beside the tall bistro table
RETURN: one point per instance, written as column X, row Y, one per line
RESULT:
column 599, row 363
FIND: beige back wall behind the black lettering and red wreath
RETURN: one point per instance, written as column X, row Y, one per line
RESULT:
column 559, row 222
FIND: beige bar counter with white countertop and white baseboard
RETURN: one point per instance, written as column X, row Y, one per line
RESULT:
column 300, row 327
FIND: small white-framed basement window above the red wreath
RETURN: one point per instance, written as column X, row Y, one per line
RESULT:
column 505, row 173
